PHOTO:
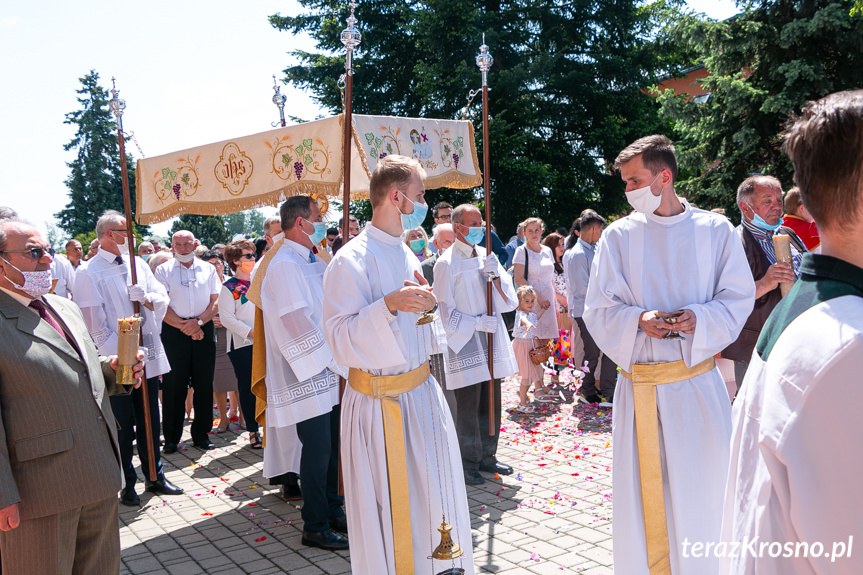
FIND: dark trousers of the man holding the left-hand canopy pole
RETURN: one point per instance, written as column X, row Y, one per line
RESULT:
column 129, row 413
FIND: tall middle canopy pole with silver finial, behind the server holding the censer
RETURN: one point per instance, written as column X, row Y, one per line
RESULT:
column 351, row 38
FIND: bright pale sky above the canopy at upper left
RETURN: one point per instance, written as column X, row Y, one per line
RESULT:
column 191, row 72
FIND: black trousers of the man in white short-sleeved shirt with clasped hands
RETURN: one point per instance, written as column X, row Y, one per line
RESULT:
column 192, row 362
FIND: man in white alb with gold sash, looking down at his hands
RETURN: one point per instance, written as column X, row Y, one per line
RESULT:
column 667, row 257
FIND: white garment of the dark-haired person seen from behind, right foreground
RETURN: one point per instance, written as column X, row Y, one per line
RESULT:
column 795, row 456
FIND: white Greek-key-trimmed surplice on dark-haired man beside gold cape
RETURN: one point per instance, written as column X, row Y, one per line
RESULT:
column 302, row 378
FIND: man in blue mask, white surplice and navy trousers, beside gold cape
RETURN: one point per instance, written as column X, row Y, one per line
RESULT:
column 302, row 376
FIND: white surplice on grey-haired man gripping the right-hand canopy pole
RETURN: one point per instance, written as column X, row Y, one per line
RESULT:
column 460, row 288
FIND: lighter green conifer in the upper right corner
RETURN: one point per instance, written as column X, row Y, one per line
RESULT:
column 764, row 64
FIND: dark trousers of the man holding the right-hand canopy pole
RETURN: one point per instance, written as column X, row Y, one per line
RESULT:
column 471, row 425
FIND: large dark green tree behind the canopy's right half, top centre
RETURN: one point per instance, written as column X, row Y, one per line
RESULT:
column 566, row 86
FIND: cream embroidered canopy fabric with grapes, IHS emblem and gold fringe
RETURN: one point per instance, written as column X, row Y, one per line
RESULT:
column 266, row 168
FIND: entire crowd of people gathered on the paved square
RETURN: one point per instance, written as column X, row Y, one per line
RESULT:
column 642, row 311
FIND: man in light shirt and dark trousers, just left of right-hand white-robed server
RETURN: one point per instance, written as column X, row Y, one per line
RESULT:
column 577, row 262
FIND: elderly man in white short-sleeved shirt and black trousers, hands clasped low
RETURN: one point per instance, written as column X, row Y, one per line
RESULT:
column 189, row 338
